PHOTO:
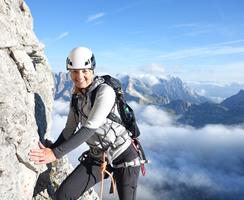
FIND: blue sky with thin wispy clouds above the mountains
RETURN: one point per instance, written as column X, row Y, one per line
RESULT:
column 196, row 40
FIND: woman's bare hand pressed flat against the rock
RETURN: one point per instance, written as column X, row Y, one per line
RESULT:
column 43, row 155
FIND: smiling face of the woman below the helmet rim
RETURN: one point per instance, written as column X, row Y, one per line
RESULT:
column 82, row 78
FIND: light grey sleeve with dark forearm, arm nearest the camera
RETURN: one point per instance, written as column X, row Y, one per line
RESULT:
column 103, row 104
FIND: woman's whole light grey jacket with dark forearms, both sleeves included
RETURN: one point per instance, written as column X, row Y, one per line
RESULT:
column 99, row 132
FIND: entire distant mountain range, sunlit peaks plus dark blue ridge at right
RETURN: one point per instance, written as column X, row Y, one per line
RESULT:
column 170, row 94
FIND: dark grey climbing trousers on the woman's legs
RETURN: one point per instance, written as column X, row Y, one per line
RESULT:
column 87, row 174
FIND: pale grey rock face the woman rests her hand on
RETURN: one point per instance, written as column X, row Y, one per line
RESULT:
column 26, row 98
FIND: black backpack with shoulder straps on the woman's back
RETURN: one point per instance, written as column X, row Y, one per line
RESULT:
column 127, row 115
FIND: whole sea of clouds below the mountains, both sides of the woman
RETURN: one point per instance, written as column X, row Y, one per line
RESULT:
column 186, row 163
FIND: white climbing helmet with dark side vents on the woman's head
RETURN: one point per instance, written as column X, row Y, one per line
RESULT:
column 80, row 58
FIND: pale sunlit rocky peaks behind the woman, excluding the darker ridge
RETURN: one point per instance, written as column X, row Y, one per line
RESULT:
column 142, row 89
